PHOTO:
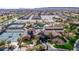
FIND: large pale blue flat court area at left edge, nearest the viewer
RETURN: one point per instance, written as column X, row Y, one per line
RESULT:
column 13, row 36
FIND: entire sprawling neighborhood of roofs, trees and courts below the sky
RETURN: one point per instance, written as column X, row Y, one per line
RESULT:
column 39, row 29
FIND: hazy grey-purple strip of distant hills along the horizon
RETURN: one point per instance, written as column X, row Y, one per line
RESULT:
column 76, row 9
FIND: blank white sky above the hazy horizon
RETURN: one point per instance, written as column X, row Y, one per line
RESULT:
column 38, row 3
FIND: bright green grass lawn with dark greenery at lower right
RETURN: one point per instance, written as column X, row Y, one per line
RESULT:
column 69, row 45
